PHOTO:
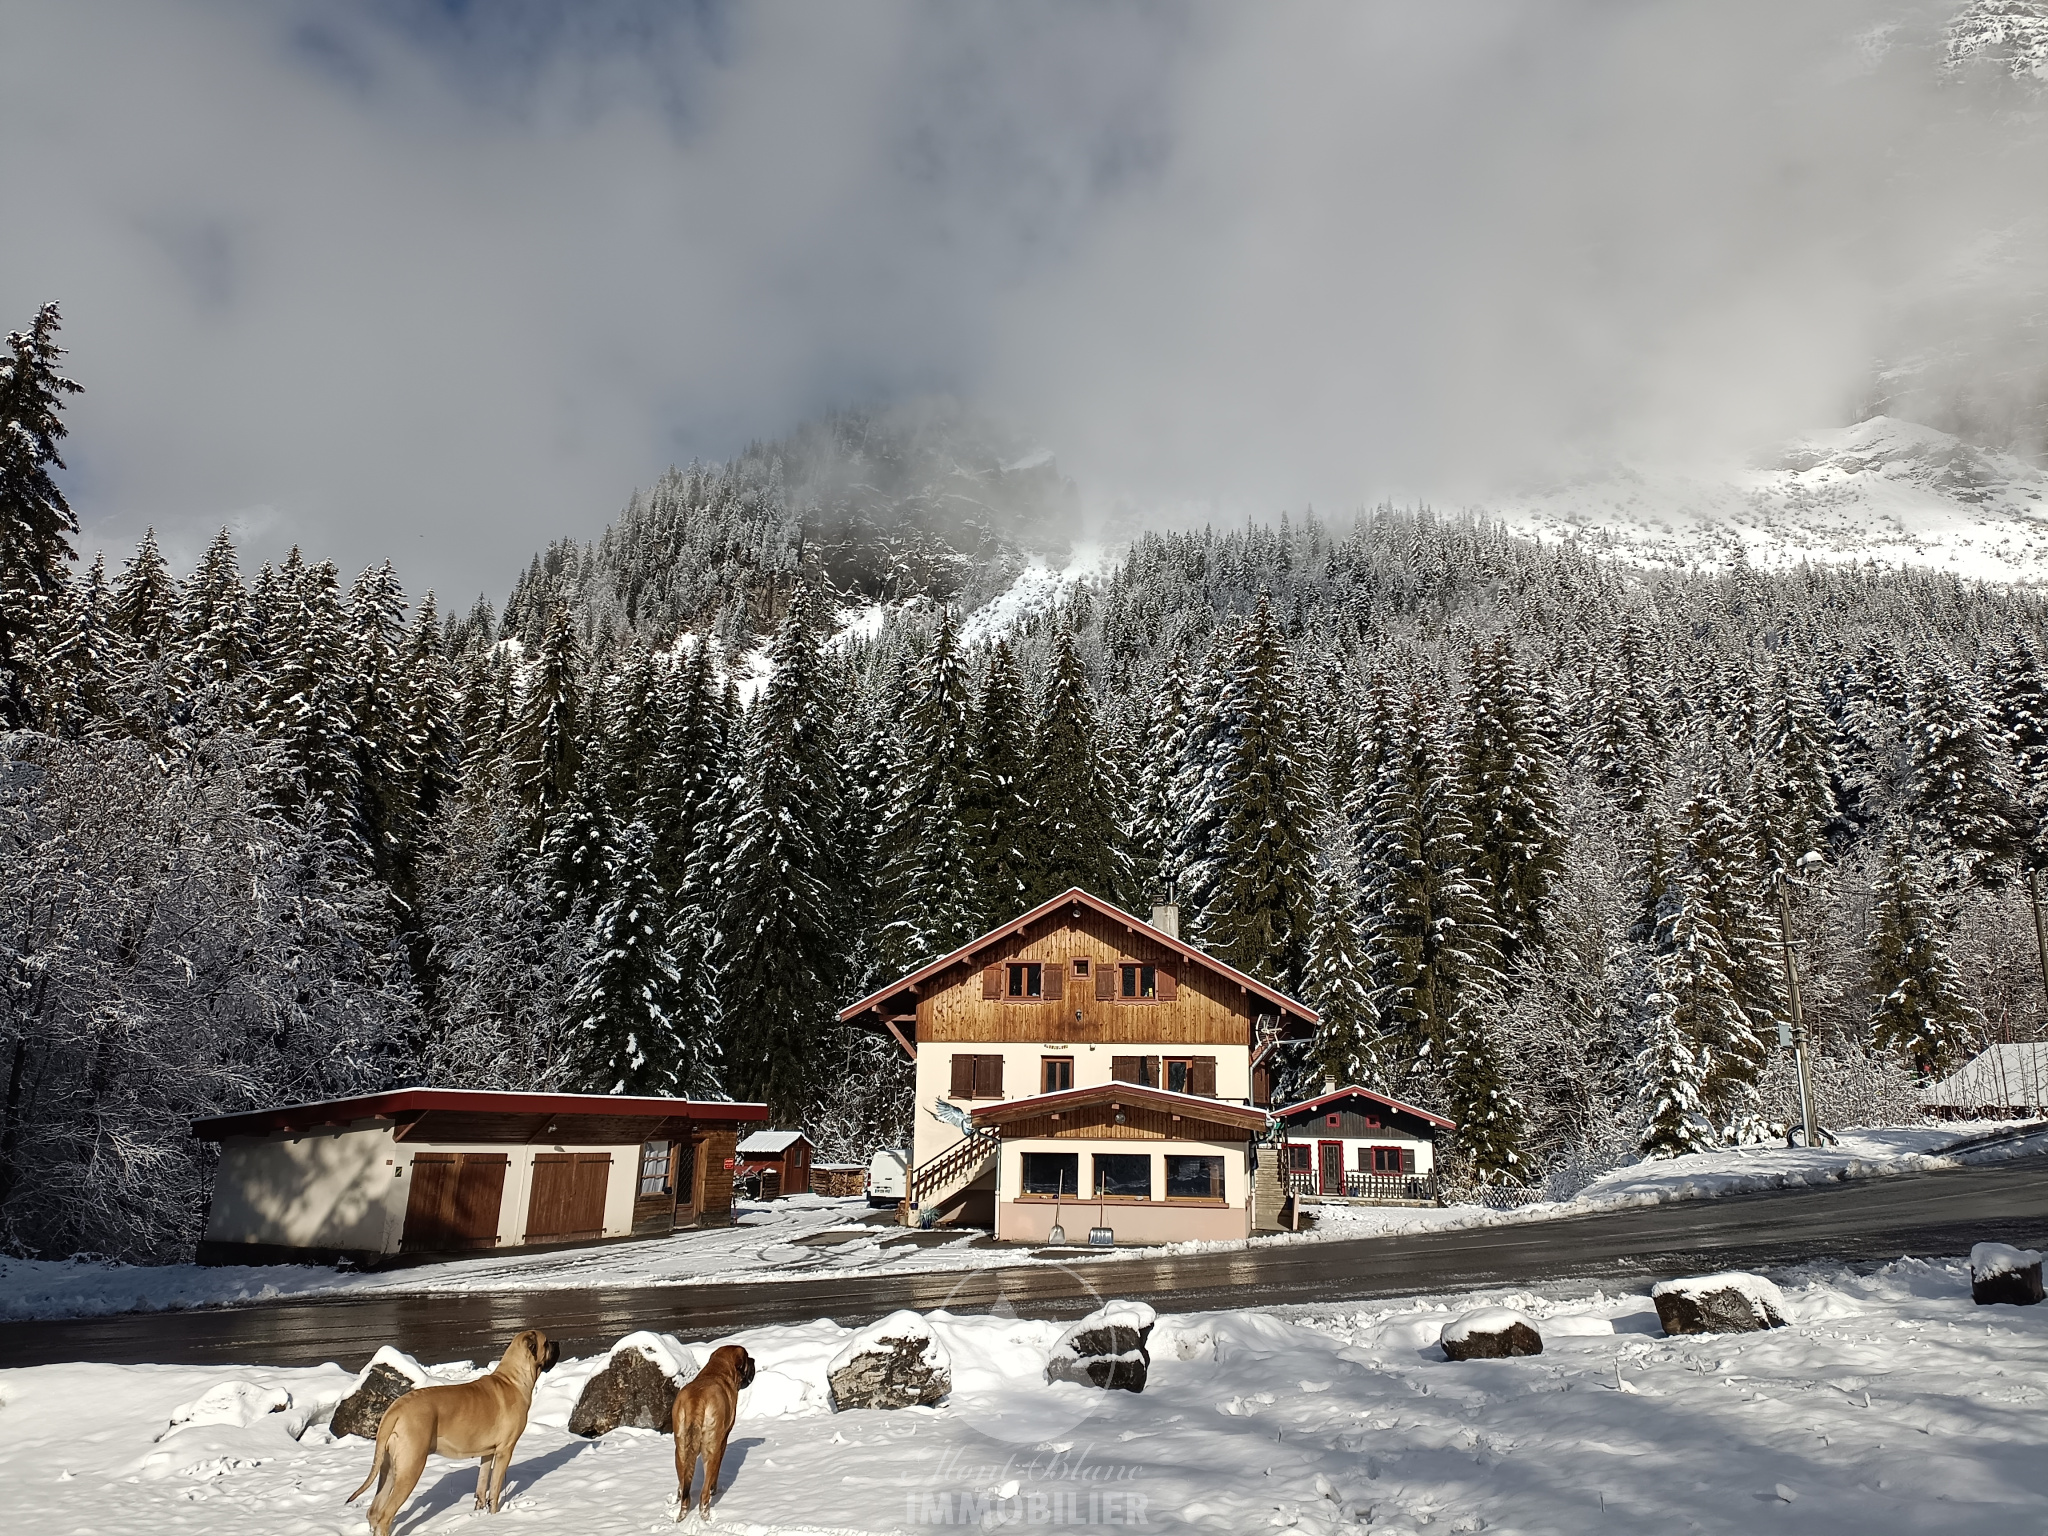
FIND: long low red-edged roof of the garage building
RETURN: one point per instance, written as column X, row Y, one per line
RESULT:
column 490, row 1117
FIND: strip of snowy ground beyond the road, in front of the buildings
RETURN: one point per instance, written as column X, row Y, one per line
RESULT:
column 808, row 1236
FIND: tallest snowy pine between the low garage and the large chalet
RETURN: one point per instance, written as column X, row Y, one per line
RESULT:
column 779, row 933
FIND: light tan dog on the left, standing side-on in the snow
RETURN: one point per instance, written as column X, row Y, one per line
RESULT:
column 474, row 1418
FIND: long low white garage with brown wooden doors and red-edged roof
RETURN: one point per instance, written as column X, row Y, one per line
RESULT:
column 447, row 1170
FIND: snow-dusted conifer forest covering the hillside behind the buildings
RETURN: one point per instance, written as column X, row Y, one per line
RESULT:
column 1535, row 830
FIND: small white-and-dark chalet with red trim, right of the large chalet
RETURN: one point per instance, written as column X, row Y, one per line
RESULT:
column 1351, row 1144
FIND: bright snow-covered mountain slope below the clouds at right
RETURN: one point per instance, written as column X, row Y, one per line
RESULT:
column 1883, row 490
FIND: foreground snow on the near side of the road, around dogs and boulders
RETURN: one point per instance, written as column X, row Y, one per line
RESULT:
column 1889, row 1406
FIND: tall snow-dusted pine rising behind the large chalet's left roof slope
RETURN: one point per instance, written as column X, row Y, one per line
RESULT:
column 927, row 849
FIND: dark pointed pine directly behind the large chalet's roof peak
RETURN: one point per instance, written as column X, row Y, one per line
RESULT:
column 1078, row 835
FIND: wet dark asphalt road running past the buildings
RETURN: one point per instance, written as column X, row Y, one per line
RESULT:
column 1920, row 1213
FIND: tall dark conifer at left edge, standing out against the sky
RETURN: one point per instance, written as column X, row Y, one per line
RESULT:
column 36, row 521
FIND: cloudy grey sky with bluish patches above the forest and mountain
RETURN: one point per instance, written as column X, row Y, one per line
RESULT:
column 443, row 282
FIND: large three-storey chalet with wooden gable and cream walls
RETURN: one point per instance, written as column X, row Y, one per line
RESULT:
column 1082, row 1068
